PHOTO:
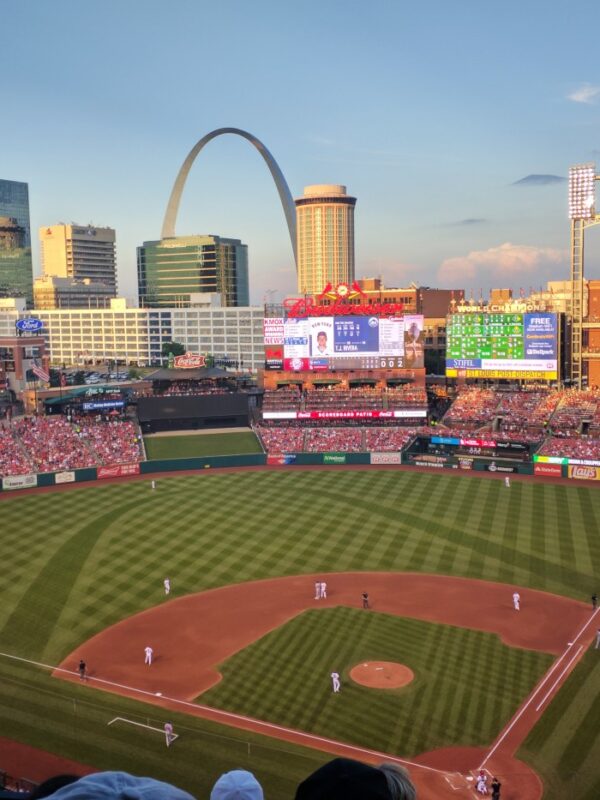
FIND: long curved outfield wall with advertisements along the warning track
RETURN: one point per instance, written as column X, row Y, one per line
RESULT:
column 149, row 468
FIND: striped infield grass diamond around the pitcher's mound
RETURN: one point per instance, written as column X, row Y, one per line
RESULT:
column 467, row 683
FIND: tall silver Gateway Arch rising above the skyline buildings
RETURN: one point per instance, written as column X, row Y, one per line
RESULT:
column 287, row 202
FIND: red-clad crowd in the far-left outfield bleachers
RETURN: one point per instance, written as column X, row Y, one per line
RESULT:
column 53, row 443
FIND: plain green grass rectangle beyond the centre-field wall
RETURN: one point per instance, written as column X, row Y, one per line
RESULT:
column 203, row 444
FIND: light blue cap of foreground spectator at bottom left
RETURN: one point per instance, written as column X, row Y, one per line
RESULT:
column 121, row 785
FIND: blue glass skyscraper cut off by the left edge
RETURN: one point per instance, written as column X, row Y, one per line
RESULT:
column 16, row 265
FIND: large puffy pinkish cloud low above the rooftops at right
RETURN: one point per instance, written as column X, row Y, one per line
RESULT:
column 503, row 262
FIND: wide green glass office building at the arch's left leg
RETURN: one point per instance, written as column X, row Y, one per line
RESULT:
column 170, row 270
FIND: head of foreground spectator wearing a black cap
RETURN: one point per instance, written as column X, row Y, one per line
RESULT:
column 345, row 779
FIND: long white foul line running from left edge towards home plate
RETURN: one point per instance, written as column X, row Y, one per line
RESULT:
column 218, row 713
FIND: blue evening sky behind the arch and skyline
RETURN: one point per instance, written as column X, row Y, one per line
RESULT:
column 453, row 124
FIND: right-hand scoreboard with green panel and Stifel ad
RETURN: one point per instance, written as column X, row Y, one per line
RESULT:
column 515, row 346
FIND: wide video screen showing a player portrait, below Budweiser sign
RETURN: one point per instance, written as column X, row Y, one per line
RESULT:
column 347, row 342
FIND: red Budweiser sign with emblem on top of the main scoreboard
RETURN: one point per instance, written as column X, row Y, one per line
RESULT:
column 298, row 307
